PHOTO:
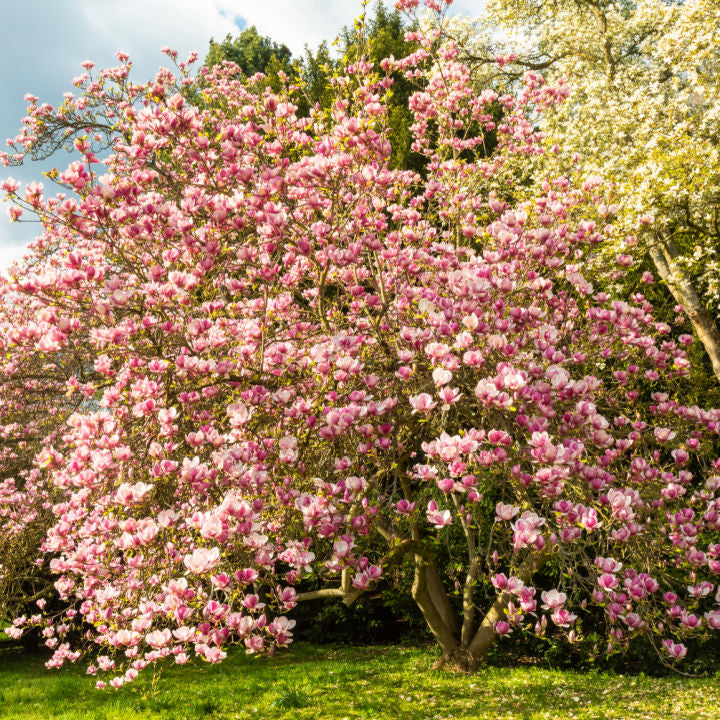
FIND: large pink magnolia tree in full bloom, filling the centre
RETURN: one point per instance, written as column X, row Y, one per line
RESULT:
column 291, row 356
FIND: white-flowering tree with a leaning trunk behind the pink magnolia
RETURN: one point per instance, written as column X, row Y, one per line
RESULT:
column 643, row 113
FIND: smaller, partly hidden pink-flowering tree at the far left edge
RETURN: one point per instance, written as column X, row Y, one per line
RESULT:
column 33, row 412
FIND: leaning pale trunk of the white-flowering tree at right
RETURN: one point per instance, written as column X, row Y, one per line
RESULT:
column 663, row 255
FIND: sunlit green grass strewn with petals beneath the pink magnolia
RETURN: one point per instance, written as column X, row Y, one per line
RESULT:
column 323, row 683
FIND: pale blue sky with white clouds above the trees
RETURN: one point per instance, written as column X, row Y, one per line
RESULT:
column 41, row 52
